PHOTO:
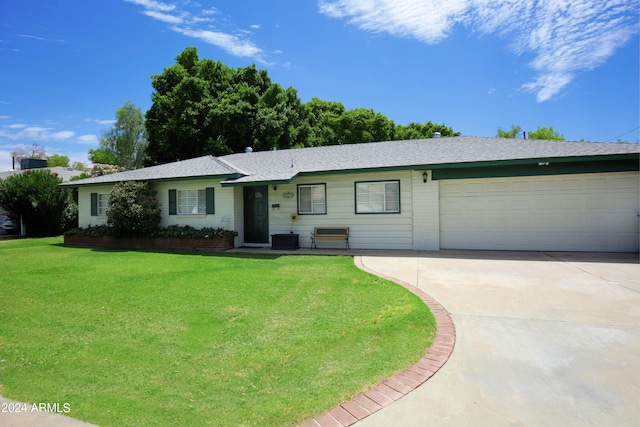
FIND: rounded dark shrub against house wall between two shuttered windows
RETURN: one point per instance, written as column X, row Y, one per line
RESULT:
column 133, row 209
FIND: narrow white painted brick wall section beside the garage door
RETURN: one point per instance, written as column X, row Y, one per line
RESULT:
column 426, row 212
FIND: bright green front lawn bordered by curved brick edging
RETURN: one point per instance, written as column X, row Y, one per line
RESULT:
column 135, row 338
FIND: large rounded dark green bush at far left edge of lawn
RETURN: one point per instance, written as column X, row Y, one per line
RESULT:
column 35, row 196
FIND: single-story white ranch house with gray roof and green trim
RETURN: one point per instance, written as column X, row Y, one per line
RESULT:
column 441, row 193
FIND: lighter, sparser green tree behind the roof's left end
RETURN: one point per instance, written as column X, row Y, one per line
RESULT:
column 125, row 143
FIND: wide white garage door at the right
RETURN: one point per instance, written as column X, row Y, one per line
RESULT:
column 591, row 212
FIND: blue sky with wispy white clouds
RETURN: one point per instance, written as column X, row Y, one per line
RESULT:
column 66, row 66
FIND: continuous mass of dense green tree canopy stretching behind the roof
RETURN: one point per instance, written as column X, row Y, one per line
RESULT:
column 203, row 107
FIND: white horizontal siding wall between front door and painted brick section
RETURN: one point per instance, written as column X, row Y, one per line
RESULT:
column 366, row 231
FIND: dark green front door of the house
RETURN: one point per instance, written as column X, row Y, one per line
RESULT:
column 256, row 214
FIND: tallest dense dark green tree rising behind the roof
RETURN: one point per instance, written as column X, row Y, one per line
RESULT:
column 204, row 107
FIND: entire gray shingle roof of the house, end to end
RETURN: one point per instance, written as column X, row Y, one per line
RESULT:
column 284, row 165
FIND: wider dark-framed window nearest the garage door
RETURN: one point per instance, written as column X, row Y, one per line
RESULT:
column 378, row 197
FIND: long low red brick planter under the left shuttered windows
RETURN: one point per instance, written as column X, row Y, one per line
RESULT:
column 162, row 243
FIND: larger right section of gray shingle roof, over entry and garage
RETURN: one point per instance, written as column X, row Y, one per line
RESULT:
column 285, row 164
